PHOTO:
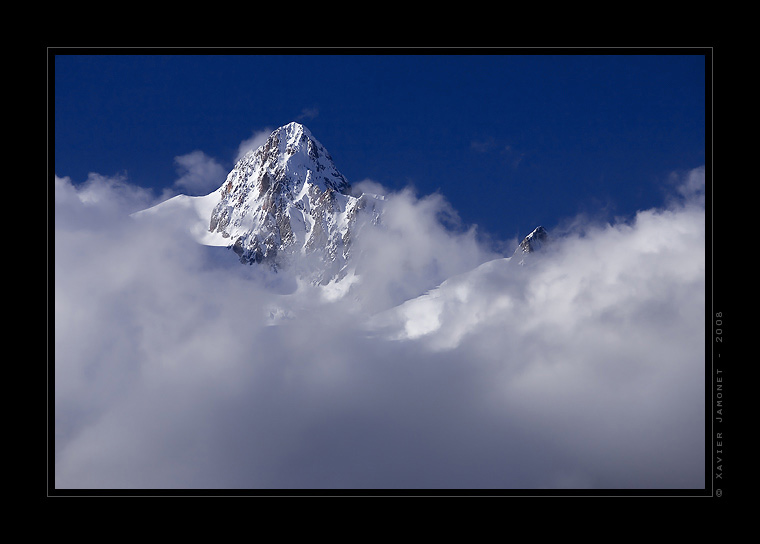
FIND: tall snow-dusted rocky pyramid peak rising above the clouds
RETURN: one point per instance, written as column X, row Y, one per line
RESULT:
column 286, row 198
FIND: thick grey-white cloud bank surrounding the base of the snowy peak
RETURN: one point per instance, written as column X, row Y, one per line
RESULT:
column 177, row 367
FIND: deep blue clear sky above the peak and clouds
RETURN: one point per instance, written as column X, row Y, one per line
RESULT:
column 512, row 141
